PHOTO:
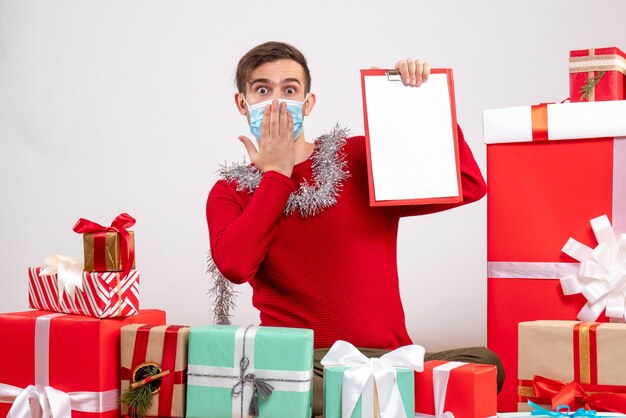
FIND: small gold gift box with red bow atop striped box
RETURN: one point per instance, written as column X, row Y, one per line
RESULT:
column 108, row 248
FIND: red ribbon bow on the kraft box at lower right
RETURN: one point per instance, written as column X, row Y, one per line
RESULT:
column 574, row 395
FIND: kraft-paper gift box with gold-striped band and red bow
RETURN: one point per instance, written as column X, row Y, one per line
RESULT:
column 578, row 364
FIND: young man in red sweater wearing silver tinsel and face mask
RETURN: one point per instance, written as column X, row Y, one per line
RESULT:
column 297, row 225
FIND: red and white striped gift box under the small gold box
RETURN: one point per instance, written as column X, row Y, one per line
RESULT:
column 103, row 294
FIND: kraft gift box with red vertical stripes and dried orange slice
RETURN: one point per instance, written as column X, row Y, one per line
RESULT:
column 149, row 350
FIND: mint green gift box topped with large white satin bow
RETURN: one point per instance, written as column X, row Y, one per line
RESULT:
column 356, row 386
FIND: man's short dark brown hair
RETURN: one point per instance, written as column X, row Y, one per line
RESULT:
column 269, row 52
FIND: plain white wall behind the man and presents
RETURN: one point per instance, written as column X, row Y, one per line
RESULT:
column 118, row 105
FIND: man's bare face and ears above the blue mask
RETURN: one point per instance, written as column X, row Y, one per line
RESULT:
column 281, row 79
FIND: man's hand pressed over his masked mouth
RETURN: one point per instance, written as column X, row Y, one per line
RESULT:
column 276, row 147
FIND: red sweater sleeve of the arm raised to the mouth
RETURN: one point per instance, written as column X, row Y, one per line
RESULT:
column 240, row 229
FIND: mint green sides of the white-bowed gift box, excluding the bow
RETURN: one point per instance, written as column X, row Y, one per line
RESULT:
column 333, row 385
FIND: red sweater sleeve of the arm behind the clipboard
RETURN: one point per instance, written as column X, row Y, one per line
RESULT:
column 472, row 183
